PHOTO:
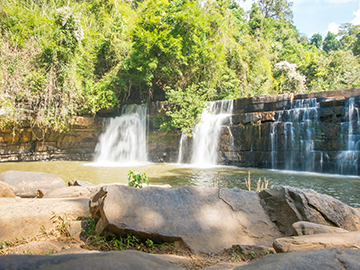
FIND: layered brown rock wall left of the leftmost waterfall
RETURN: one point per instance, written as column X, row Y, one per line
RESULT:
column 33, row 144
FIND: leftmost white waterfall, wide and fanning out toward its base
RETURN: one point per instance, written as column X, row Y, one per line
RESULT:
column 124, row 141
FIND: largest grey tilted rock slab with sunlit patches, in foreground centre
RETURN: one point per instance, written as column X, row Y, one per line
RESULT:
column 205, row 219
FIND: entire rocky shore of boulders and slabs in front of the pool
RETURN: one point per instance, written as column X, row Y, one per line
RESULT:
column 187, row 227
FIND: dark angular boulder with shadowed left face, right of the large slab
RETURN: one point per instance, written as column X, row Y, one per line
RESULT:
column 287, row 205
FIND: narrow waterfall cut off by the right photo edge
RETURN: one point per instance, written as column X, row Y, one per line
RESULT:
column 347, row 159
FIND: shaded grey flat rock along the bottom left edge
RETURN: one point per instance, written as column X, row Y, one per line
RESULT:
column 125, row 260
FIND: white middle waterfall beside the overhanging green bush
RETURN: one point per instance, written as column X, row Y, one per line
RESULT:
column 206, row 134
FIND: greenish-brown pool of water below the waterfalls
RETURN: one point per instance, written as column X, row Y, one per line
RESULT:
column 344, row 188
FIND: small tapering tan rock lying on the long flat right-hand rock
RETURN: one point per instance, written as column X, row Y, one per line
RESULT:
column 309, row 228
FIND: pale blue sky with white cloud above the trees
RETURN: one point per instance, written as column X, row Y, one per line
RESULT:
column 321, row 16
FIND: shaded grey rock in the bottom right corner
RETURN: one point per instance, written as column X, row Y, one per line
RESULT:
column 311, row 260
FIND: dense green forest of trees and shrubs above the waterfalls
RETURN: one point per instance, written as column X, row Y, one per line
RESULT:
column 60, row 58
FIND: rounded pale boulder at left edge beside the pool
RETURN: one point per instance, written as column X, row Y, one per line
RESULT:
column 26, row 184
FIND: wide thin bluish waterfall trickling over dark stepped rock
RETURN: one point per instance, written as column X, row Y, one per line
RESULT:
column 292, row 136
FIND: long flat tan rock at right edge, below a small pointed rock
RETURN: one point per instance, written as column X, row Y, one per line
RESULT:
column 349, row 240
